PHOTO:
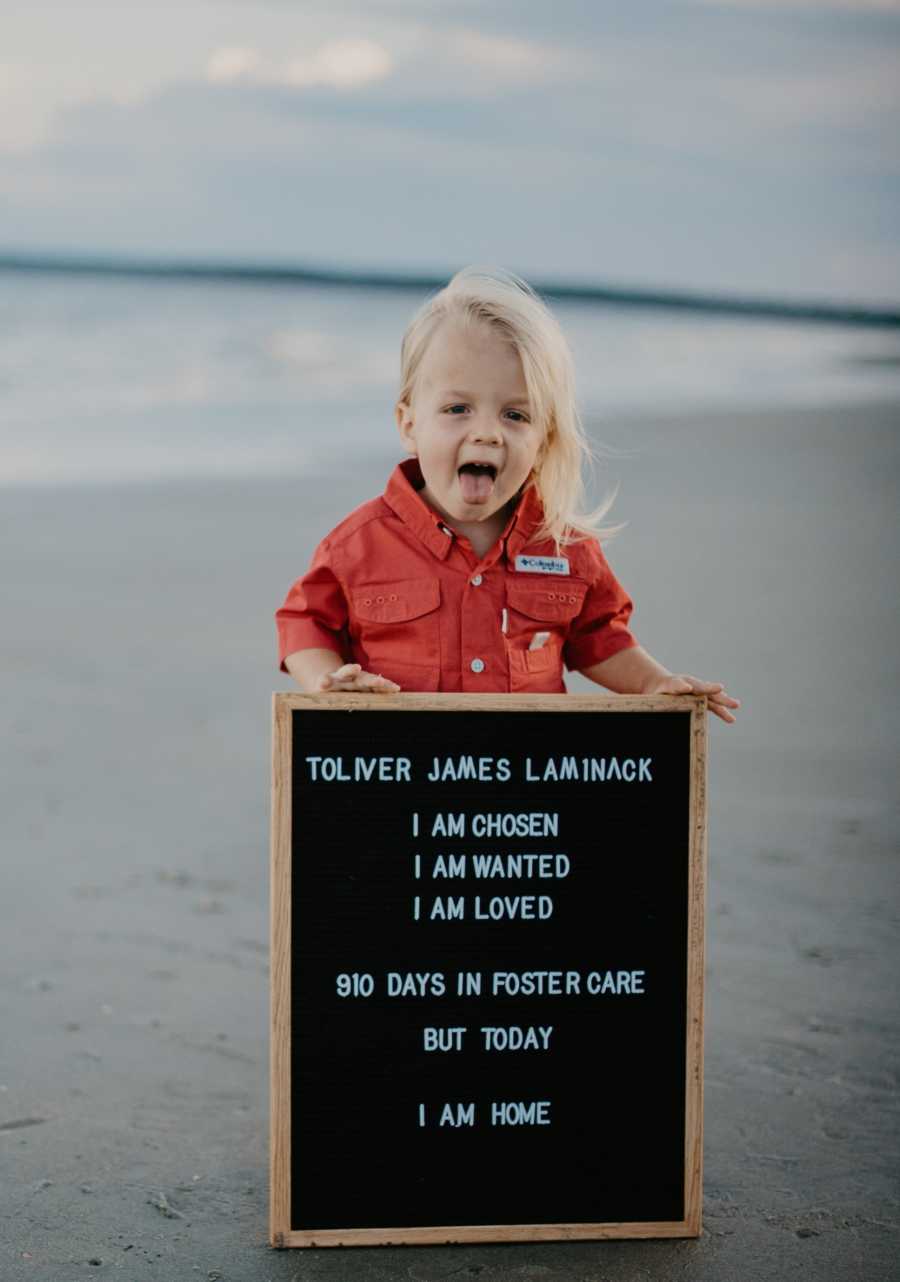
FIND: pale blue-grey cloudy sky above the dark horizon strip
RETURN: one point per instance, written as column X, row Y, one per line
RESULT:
column 731, row 147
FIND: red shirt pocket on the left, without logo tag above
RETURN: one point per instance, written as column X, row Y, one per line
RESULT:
column 397, row 626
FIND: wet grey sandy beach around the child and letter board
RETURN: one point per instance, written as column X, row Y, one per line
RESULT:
column 139, row 658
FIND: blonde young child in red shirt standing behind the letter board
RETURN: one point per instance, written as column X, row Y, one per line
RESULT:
column 476, row 571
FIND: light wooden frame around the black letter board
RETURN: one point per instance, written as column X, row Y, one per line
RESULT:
column 281, row 1235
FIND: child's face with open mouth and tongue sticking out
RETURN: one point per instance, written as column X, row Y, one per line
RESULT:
column 471, row 428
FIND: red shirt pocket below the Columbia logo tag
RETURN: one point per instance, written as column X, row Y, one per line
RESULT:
column 533, row 608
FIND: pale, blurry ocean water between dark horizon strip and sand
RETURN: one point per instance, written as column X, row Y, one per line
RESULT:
column 120, row 380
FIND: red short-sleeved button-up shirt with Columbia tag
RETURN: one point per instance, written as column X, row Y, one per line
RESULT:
column 399, row 592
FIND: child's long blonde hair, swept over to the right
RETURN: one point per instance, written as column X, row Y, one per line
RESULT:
column 506, row 302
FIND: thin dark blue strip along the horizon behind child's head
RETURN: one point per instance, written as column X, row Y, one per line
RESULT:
column 288, row 275
